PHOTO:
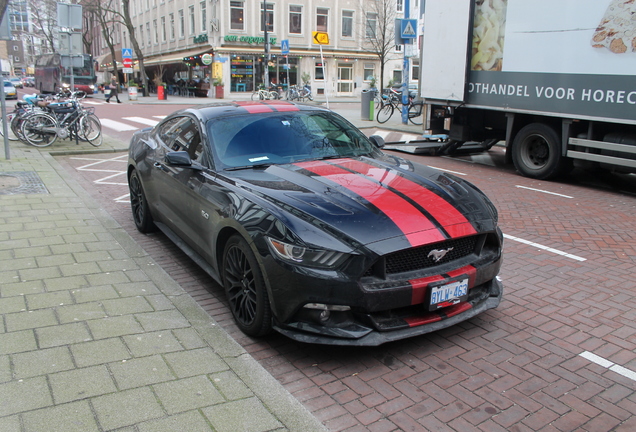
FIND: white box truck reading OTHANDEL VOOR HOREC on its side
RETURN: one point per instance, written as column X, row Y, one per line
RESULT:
column 555, row 79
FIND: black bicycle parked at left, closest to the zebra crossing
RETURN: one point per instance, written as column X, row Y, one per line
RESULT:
column 66, row 119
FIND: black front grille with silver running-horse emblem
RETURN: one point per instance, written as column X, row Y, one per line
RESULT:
column 422, row 257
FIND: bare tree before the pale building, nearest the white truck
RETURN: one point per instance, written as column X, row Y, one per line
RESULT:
column 378, row 30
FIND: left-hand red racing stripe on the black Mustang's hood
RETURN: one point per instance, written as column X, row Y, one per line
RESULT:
column 417, row 228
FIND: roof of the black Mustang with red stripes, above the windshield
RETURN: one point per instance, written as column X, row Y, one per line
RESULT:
column 222, row 109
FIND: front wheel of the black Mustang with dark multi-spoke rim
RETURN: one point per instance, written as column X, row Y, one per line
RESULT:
column 245, row 288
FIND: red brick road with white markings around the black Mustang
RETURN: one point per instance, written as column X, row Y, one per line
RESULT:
column 559, row 354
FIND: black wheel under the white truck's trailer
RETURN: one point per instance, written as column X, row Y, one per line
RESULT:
column 536, row 152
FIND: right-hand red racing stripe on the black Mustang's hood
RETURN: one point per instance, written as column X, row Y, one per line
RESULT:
column 453, row 221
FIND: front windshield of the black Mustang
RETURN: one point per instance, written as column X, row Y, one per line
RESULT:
column 243, row 141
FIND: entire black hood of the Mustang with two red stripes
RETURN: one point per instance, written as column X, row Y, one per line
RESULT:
column 373, row 202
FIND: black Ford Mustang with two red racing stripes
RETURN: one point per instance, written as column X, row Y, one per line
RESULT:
column 311, row 228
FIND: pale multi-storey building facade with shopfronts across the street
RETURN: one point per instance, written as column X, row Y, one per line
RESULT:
column 174, row 36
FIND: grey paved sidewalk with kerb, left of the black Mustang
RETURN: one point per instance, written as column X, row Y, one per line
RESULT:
column 95, row 337
